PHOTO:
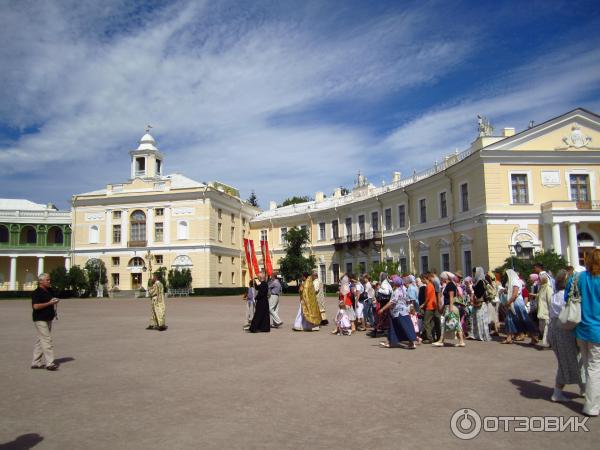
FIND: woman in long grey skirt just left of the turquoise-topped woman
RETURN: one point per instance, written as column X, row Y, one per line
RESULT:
column 563, row 343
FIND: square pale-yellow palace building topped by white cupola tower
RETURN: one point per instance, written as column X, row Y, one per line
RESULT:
column 155, row 220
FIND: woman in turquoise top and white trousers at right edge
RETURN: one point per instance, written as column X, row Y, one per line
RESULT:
column 588, row 330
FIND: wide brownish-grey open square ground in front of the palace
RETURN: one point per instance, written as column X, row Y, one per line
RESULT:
column 204, row 383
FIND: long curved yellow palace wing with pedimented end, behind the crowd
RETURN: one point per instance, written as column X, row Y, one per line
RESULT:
column 507, row 194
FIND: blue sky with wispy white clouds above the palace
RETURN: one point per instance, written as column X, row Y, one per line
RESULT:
column 280, row 97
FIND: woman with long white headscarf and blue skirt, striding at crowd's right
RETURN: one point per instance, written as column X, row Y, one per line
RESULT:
column 517, row 319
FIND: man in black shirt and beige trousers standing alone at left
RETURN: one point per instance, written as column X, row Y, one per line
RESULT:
column 44, row 310
